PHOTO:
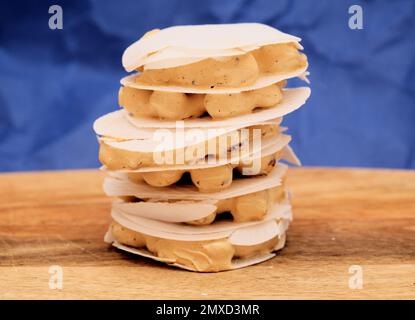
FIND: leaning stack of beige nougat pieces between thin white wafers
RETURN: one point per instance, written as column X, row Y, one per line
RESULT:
column 194, row 157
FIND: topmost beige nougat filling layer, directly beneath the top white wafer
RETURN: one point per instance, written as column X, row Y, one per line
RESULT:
column 234, row 71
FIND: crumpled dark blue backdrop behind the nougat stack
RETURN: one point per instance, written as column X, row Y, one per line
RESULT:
column 54, row 83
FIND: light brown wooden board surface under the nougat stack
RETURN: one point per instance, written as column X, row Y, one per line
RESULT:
column 353, row 237
